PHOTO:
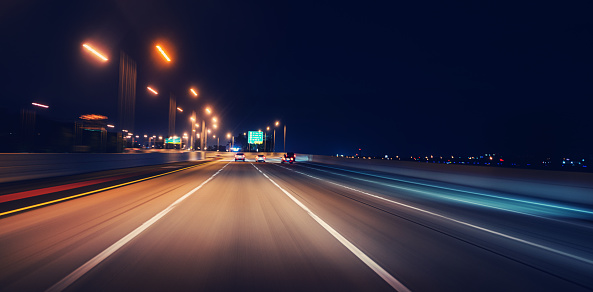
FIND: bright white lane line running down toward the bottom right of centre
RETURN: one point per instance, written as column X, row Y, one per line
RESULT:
column 392, row 281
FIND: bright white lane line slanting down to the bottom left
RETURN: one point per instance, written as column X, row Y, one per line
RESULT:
column 76, row 274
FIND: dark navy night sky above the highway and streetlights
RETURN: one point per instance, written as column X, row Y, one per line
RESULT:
column 391, row 77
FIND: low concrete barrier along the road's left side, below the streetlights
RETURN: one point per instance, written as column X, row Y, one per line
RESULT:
column 24, row 166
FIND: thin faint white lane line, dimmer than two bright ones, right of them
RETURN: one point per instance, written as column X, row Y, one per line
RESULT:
column 455, row 220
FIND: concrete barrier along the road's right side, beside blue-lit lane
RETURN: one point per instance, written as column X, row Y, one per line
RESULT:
column 557, row 186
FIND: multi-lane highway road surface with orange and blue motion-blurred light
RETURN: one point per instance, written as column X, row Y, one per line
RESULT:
column 237, row 226
